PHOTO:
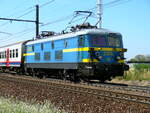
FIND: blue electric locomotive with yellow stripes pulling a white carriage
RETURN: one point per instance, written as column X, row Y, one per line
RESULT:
column 85, row 53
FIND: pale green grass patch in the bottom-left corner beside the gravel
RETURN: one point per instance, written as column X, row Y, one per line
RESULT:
column 15, row 106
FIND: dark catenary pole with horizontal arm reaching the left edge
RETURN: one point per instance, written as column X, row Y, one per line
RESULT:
column 33, row 21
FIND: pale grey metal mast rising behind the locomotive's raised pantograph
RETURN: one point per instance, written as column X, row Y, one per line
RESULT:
column 99, row 13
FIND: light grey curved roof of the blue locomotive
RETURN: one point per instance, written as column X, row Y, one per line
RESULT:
column 72, row 34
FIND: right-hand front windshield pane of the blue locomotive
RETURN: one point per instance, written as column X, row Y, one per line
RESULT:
column 114, row 40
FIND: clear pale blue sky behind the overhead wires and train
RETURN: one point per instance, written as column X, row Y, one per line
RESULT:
column 129, row 17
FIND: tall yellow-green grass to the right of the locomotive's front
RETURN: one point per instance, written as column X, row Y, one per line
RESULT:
column 138, row 72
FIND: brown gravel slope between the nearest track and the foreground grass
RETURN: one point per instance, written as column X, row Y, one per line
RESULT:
column 72, row 102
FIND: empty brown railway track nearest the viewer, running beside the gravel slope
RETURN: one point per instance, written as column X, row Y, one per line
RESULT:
column 80, row 89
